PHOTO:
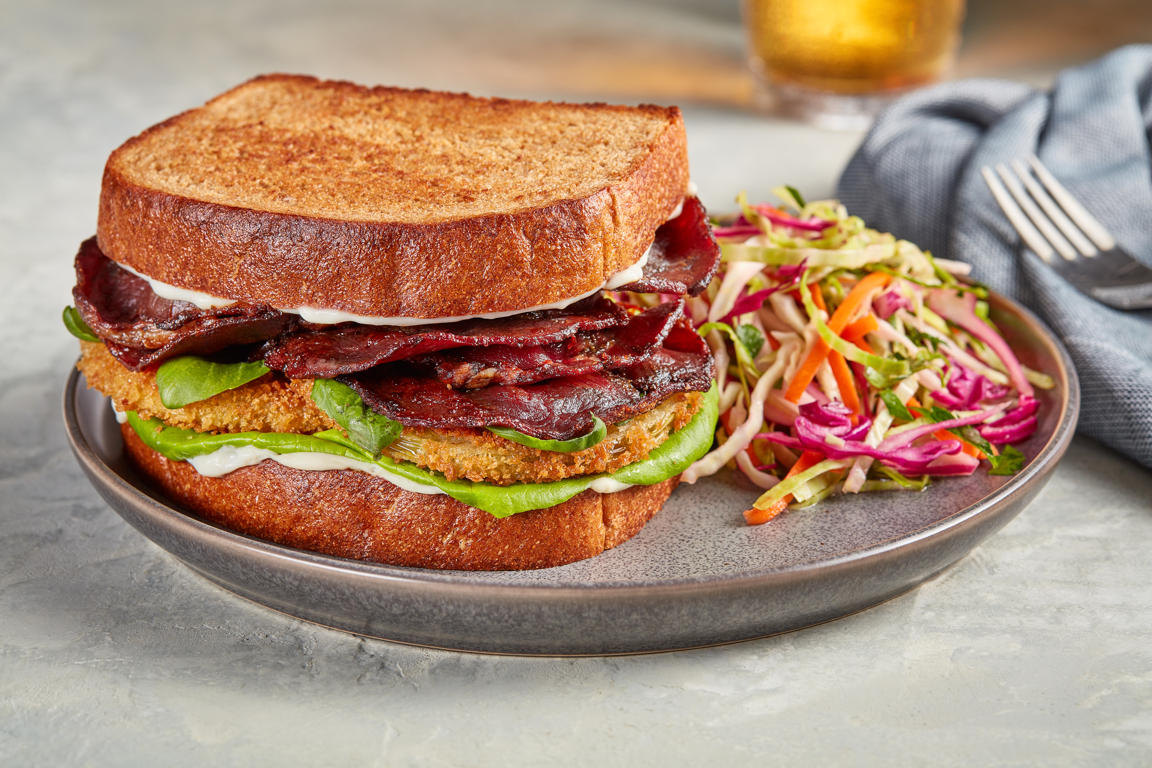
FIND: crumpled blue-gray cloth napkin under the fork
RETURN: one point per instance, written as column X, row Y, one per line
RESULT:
column 918, row 174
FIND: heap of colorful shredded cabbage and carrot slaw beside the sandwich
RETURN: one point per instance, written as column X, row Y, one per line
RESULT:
column 850, row 361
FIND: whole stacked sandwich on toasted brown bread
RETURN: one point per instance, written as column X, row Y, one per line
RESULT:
column 408, row 328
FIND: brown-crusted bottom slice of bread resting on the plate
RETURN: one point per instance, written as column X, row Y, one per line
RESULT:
column 355, row 515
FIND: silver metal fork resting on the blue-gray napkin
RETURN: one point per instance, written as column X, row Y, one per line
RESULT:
column 1104, row 271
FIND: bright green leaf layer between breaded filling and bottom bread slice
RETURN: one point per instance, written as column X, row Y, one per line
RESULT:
column 671, row 458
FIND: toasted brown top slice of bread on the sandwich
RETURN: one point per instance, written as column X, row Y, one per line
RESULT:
column 384, row 202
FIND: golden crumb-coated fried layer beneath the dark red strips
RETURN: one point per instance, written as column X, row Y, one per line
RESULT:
column 274, row 404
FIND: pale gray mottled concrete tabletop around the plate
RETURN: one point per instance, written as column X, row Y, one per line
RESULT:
column 1035, row 650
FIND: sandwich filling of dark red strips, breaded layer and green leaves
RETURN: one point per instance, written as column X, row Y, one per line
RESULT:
column 548, row 376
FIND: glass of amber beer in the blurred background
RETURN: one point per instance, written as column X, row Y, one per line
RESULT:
column 838, row 63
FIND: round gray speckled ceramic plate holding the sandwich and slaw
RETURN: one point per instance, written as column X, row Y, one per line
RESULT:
column 695, row 576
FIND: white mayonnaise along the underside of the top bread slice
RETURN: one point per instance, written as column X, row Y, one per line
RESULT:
column 332, row 317
